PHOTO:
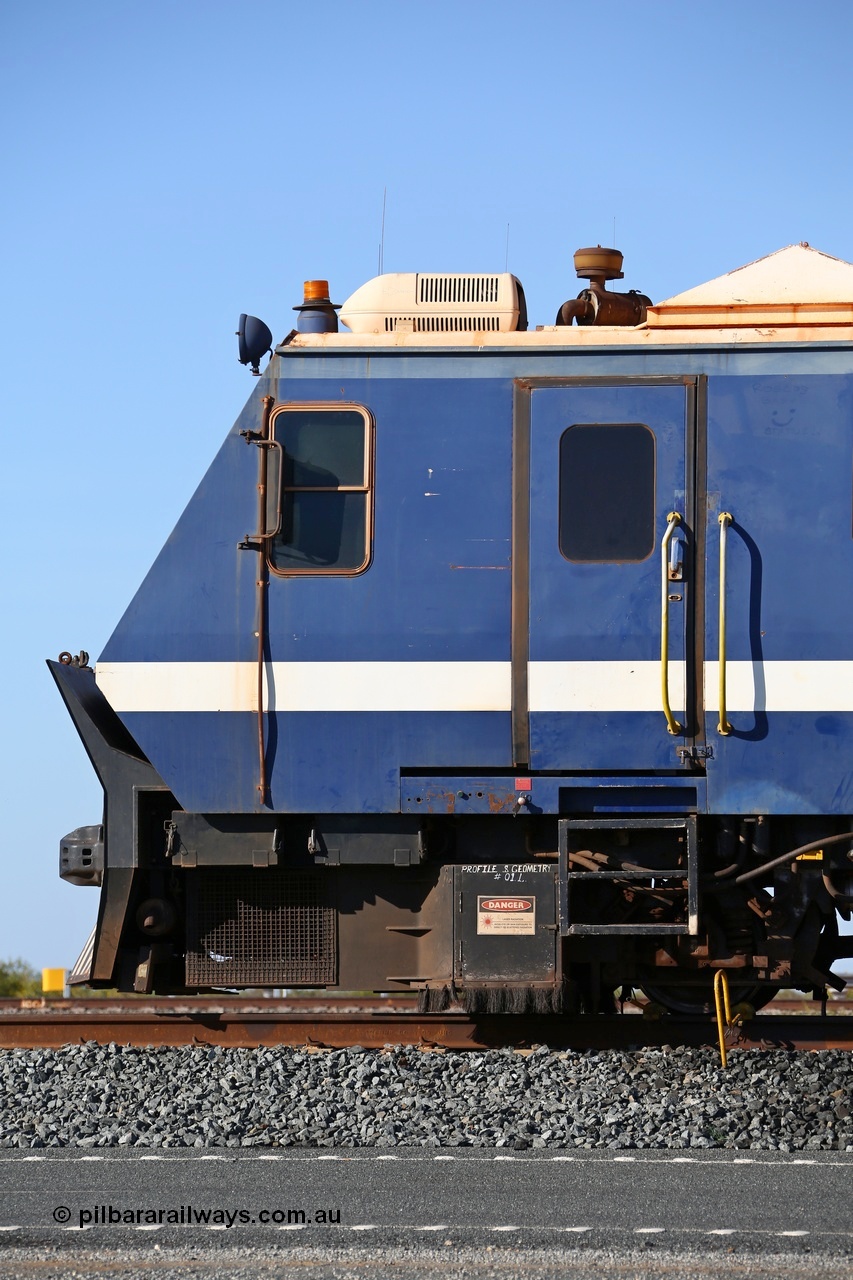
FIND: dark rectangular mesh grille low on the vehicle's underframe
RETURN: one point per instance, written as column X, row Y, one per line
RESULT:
column 259, row 929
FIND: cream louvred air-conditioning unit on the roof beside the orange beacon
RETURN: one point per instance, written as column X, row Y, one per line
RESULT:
column 413, row 303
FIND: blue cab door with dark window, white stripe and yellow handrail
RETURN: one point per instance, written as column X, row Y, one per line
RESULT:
column 610, row 575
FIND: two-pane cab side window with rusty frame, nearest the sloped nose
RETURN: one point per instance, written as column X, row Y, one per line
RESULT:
column 325, row 490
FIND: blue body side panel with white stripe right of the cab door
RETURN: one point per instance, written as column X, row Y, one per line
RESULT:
column 779, row 615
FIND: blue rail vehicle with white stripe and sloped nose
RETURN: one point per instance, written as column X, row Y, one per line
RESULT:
column 507, row 666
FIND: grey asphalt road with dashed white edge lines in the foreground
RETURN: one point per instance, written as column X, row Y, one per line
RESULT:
column 430, row 1213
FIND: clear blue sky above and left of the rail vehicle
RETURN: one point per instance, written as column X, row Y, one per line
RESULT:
column 171, row 164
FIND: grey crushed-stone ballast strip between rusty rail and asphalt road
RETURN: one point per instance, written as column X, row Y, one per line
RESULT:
column 112, row 1096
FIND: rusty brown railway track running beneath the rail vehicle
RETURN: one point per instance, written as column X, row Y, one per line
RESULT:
column 343, row 1022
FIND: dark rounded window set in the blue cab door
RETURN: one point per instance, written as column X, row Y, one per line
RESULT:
column 608, row 492
